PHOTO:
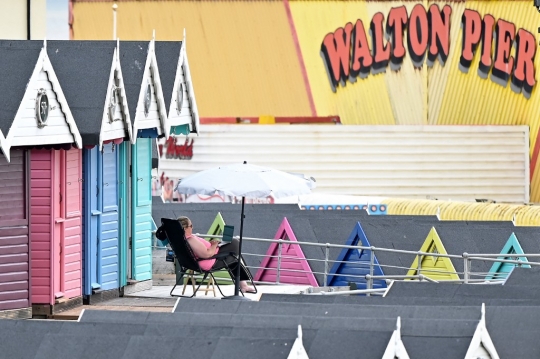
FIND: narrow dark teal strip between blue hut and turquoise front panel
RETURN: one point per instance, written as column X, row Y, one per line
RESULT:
column 124, row 215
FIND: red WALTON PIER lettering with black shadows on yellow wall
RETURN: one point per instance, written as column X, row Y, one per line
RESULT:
column 505, row 52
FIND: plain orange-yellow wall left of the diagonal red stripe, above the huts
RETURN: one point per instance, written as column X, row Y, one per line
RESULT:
column 242, row 57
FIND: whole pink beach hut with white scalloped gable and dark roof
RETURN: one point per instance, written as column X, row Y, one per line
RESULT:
column 40, row 137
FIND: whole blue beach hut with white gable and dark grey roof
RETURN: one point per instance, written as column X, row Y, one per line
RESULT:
column 91, row 76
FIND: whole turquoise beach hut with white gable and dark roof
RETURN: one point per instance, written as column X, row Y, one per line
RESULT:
column 148, row 115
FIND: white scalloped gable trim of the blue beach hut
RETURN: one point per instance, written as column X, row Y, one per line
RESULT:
column 111, row 131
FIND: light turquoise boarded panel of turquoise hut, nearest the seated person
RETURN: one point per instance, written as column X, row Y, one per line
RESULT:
column 141, row 234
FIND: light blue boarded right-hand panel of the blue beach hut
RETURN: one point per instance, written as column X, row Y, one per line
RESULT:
column 108, row 269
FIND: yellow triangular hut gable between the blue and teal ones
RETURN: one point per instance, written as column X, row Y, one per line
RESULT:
column 437, row 268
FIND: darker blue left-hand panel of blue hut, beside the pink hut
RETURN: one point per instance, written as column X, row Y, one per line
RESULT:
column 91, row 219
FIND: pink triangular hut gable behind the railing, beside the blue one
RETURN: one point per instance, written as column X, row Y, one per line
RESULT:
column 293, row 266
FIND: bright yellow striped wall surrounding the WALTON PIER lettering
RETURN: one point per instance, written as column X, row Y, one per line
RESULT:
column 438, row 95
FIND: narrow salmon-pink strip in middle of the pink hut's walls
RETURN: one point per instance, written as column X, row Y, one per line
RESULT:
column 59, row 168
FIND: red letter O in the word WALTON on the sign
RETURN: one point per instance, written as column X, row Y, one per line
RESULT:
column 418, row 35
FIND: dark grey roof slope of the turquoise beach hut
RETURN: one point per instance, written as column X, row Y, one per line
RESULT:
column 133, row 56
